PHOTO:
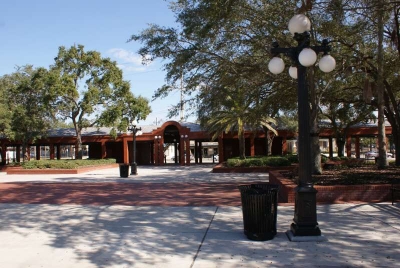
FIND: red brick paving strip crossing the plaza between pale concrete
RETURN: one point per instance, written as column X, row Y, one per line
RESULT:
column 131, row 194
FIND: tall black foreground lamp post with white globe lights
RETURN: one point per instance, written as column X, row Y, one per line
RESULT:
column 305, row 225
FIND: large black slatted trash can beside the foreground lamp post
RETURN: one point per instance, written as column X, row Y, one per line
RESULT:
column 259, row 207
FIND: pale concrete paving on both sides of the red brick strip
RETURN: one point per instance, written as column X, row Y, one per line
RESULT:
column 69, row 235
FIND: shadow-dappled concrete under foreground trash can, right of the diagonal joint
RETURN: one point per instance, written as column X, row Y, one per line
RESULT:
column 357, row 236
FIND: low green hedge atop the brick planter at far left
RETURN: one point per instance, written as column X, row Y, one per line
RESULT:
column 65, row 164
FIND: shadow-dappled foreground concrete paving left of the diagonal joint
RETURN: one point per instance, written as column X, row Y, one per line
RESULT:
column 106, row 236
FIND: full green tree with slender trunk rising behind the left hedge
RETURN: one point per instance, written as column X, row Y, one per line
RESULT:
column 90, row 91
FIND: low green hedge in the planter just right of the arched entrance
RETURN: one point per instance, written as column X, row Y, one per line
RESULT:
column 257, row 161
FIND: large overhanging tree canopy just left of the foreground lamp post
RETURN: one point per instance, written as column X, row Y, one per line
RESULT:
column 219, row 51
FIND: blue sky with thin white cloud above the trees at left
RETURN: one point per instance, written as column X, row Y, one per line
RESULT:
column 33, row 30
